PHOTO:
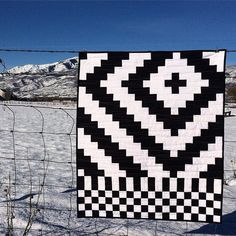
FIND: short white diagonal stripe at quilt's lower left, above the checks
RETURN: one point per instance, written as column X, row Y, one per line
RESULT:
column 98, row 155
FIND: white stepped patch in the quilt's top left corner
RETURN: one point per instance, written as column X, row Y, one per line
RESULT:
column 87, row 65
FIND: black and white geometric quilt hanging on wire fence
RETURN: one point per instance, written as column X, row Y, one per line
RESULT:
column 150, row 132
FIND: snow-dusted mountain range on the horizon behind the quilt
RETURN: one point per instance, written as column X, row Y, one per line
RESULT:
column 57, row 80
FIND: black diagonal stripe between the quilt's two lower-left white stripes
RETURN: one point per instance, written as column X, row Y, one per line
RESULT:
column 111, row 149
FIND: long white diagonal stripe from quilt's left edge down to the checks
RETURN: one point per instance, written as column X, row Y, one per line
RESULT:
column 119, row 135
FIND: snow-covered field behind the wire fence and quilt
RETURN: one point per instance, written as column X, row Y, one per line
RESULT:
column 37, row 161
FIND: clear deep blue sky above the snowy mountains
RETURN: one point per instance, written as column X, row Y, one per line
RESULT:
column 114, row 25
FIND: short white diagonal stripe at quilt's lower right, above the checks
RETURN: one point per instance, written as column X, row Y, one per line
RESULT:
column 201, row 163
